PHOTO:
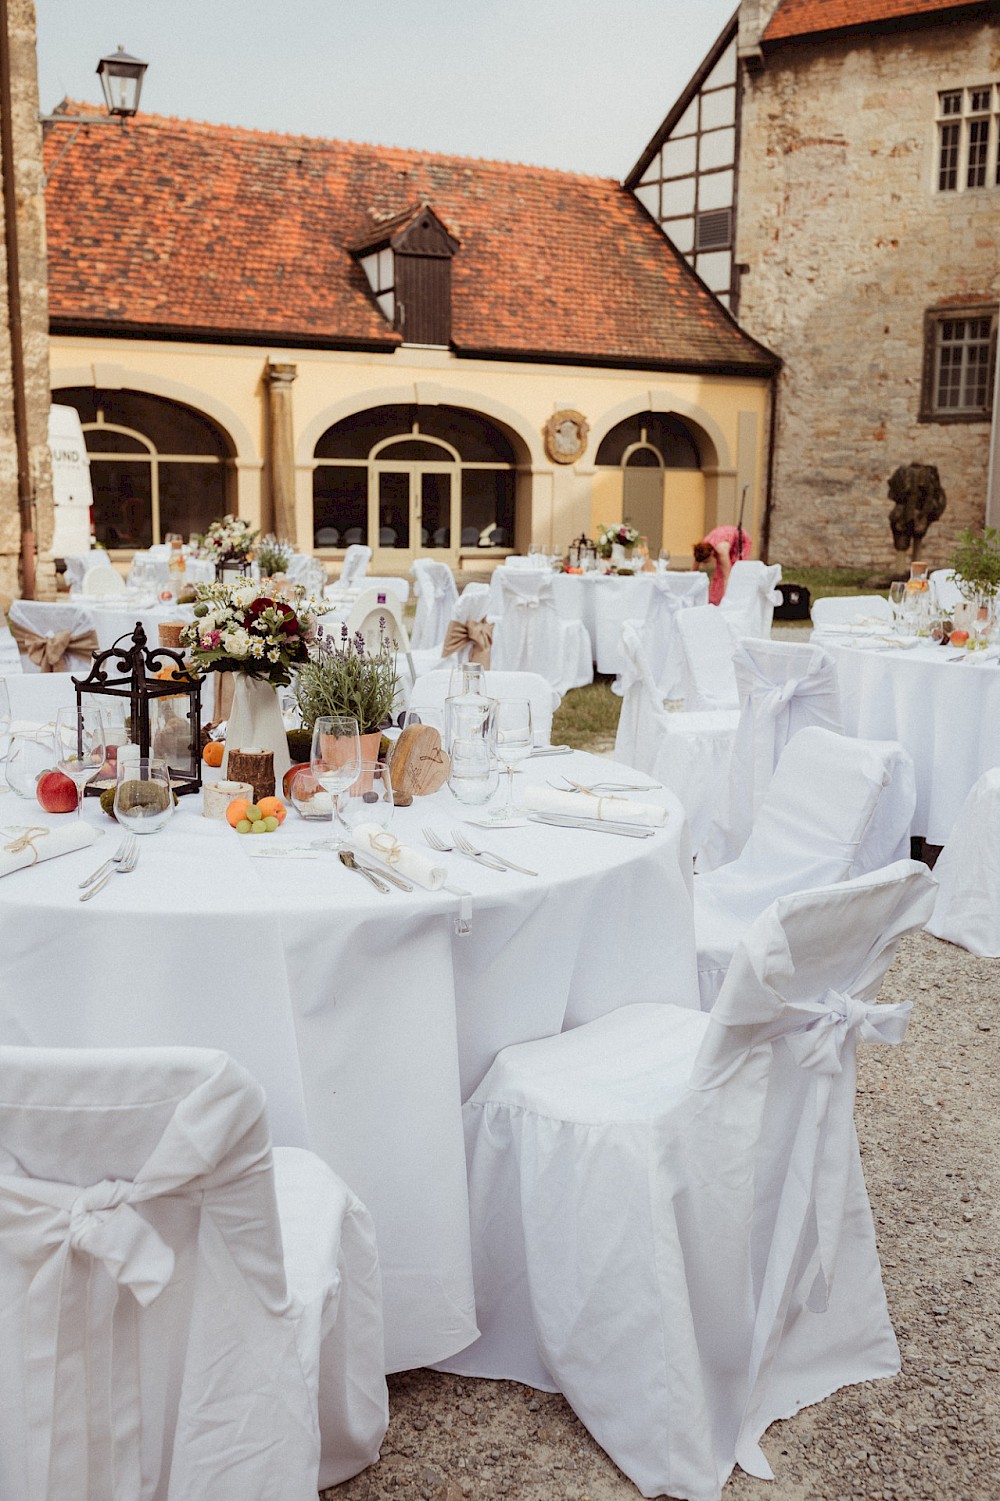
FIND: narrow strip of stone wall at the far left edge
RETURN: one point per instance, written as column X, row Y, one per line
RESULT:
column 31, row 215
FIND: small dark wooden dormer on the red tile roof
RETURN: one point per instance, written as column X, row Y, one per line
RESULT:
column 409, row 268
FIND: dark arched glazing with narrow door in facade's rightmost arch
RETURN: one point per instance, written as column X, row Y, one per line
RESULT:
column 643, row 448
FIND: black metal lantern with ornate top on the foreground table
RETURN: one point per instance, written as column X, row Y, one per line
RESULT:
column 160, row 715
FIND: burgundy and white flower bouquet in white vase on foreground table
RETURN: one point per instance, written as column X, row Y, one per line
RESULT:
column 242, row 630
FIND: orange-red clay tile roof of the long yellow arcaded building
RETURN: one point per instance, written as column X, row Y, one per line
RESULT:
column 181, row 229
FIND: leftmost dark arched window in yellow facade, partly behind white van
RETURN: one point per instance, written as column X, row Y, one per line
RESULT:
column 155, row 466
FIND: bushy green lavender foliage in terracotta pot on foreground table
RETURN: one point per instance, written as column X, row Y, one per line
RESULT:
column 348, row 679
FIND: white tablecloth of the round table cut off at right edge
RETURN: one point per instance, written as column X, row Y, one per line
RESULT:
column 941, row 703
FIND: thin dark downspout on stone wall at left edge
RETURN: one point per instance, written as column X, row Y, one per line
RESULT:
column 14, row 313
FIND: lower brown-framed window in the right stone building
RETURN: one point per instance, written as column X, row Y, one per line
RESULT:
column 960, row 364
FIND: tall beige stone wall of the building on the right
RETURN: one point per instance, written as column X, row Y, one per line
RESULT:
column 848, row 247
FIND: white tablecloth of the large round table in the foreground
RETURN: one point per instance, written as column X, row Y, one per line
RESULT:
column 367, row 1018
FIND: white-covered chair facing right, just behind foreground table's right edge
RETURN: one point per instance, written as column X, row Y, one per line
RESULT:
column 687, row 753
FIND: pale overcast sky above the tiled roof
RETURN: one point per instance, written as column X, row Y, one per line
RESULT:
column 580, row 86
